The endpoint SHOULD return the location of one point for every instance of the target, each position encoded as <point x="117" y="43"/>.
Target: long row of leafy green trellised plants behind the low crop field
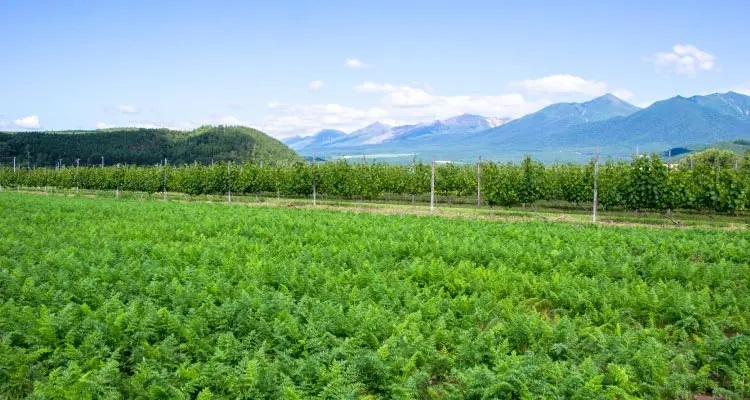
<point x="710" y="182"/>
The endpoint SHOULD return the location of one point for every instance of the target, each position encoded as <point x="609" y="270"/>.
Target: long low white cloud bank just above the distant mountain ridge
<point x="398" y="105"/>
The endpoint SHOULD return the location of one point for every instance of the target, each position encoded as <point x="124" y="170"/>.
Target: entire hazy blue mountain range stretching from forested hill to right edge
<point x="558" y="132"/>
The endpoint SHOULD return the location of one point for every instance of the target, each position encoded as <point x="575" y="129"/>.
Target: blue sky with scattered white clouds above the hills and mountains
<point x="294" y="67"/>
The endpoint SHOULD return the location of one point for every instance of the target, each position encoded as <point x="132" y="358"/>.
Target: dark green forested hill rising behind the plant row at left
<point x="144" y="146"/>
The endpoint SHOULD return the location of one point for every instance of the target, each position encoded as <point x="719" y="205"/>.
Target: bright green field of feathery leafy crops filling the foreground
<point x="107" y="298"/>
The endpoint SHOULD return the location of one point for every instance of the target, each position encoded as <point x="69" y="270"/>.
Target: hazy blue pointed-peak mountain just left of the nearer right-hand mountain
<point x="538" y="128"/>
